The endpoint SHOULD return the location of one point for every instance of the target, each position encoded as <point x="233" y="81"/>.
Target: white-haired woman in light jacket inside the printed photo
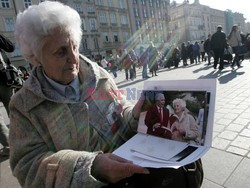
<point x="184" y="127"/>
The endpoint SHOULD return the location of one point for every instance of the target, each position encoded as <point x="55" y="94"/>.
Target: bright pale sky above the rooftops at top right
<point x="241" y="6"/>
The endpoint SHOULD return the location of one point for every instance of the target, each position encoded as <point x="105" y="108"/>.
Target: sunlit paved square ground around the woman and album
<point x="227" y="163"/>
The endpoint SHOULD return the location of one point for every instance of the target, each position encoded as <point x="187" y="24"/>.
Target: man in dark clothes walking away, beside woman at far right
<point x="218" y="44"/>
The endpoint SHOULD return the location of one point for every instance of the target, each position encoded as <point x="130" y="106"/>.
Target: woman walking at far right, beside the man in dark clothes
<point x="234" y="40"/>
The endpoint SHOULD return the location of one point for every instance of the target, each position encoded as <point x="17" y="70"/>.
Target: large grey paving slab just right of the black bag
<point x="216" y="168"/>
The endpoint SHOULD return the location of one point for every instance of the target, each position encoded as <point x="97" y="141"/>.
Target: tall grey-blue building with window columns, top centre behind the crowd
<point x="149" y="22"/>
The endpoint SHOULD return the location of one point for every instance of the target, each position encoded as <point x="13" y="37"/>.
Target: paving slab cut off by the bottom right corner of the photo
<point x="241" y="176"/>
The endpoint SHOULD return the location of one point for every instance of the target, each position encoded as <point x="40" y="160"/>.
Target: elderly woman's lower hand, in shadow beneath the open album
<point x="112" y="168"/>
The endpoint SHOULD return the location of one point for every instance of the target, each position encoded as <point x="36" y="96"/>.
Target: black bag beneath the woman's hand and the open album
<point x="188" y="176"/>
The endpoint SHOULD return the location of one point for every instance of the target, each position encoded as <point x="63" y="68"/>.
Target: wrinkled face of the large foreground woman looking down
<point x="60" y="57"/>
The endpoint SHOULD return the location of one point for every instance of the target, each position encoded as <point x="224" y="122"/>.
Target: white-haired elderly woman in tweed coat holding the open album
<point x="69" y="114"/>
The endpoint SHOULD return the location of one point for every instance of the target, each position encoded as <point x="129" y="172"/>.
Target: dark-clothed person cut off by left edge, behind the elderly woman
<point x="5" y="91"/>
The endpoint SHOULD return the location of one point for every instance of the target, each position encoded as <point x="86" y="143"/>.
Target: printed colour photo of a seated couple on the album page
<point x="175" y="115"/>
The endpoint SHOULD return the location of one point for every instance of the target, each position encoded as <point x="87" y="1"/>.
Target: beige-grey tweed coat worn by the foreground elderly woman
<point x="49" y="134"/>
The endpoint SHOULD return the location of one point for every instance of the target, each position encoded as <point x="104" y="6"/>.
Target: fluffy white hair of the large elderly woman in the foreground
<point x="37" y="22"/>
